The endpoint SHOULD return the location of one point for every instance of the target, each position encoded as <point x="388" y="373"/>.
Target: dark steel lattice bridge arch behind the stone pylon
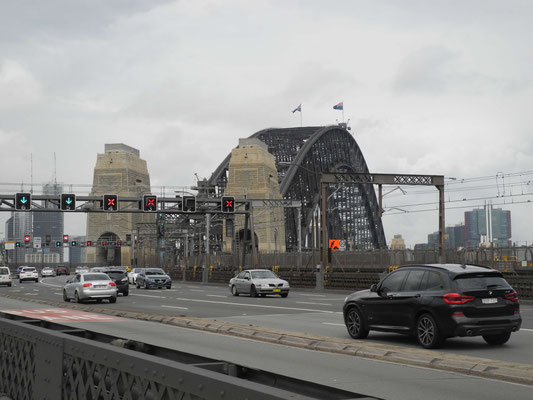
<point x="301" y="155"/>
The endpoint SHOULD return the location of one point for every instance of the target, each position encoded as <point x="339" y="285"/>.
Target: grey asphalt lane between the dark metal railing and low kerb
<point x="365" y="376"/>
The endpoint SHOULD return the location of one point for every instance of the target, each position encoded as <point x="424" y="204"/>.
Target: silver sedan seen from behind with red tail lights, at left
<point x="90" y="286"/>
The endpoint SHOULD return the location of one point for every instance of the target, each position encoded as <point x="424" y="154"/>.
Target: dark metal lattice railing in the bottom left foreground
<point x="45" y="364"/>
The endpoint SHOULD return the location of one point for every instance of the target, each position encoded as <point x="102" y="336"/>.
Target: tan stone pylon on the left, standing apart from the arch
<point x="120" y="171"/>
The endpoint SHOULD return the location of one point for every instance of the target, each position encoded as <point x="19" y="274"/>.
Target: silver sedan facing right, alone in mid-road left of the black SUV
<point x="258" y="282"/>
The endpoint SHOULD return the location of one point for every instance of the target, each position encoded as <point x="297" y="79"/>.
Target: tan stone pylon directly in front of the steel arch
<point x="252" y="174"/>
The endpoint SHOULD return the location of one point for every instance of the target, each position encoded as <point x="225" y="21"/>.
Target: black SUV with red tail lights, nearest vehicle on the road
<point x="435" y="302"/>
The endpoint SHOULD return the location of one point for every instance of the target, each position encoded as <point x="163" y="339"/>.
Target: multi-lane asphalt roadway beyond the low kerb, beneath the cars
<point x="306" y="311"/>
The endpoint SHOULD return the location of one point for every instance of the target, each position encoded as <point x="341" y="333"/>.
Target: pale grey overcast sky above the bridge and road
<point x="430" y="87"/>
